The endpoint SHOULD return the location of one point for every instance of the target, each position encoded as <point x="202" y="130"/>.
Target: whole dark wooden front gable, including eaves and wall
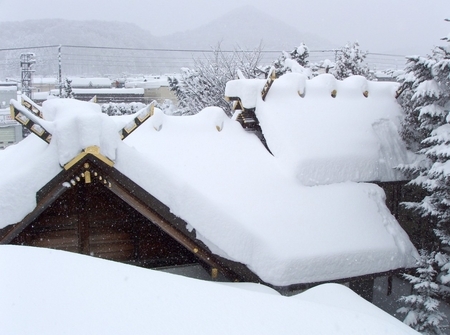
<point x="93" y="209"/>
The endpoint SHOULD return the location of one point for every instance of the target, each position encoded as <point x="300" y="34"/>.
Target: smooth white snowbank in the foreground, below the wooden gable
<point x="55" y="292"/>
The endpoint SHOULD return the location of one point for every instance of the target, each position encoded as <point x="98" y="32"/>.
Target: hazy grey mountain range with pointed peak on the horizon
<point x="108" y="46"/>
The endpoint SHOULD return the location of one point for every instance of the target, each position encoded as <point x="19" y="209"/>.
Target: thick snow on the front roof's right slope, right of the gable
<point x="245" y="207"/>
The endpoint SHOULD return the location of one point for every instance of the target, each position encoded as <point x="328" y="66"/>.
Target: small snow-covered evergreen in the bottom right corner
<point x="422" y="306"/>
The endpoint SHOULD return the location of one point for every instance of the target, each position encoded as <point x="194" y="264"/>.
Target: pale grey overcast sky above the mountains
<point x="412" y="26"/>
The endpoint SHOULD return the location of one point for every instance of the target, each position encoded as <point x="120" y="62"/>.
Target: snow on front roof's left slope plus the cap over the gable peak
<point x="27" y="166"/>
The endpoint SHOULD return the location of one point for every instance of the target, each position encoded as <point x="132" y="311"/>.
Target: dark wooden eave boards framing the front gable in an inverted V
<point x="140" y="200"/>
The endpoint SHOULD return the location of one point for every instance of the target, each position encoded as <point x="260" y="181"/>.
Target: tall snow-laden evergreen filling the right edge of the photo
<point x="425" y="97"/>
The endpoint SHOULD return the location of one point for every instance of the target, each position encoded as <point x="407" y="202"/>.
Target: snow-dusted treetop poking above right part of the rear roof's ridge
<point x="350" y="61"/>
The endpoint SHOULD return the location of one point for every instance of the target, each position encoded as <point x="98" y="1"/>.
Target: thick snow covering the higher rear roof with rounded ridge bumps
<point x="324" y="139"/>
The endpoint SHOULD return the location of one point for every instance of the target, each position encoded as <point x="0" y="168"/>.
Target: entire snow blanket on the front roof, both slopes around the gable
<point x="243" y="203"/>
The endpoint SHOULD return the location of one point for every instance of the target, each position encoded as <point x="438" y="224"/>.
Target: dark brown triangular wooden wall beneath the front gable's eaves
<point x="89" y="219"/>
